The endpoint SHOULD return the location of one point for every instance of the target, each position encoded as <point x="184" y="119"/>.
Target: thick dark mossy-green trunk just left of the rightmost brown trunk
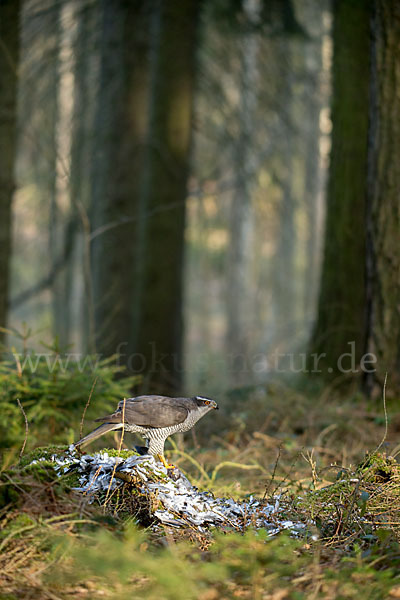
<point x="341" y="308"/>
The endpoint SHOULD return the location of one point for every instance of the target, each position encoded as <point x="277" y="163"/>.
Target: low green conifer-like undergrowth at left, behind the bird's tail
<point x="53" y="387"/>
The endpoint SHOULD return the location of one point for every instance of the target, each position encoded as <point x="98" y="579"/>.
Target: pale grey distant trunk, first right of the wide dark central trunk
<point x="240" y="307"/>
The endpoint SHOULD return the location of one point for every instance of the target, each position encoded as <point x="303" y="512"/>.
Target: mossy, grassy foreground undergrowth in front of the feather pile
<point x="53" y="544"/>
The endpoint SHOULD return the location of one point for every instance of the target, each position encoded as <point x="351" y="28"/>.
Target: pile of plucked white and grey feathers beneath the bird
<point x="181" y="503"/>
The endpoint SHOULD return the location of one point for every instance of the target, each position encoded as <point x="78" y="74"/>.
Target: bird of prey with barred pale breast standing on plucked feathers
<point x="155" y="418"/>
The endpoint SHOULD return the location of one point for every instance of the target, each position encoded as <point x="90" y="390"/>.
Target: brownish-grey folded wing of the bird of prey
<point x="150" y="411"/>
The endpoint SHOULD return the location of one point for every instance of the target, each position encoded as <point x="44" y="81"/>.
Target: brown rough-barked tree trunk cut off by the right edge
<point x="383" y="207"/>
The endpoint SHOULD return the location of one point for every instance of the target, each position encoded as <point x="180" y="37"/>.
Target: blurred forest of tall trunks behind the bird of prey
<point x="203" y="197"/>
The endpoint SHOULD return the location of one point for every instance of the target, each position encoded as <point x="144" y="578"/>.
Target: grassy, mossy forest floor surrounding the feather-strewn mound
<point x="330" y="460"/>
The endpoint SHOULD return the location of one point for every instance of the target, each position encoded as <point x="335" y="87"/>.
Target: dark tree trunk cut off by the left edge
<point x="9" y="58"/>
